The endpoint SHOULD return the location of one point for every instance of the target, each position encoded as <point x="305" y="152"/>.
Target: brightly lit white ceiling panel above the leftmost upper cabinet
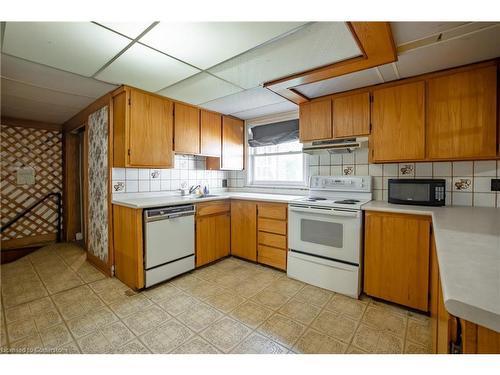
<point x="145" y="68"/>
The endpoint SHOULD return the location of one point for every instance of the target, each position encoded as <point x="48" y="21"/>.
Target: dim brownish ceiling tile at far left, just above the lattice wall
<point x="17" y="107"/>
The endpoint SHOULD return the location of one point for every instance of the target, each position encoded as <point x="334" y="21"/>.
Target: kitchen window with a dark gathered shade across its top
<point x="275" y="155"/>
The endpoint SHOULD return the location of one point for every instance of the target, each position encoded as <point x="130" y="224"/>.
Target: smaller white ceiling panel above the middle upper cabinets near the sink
<point x="200" y="88"/>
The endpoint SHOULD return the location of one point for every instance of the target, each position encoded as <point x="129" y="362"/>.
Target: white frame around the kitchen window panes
<point x="279" y="184"/>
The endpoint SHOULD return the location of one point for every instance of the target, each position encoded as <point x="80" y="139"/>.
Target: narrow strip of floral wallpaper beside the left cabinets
<point x="98" y="184"/>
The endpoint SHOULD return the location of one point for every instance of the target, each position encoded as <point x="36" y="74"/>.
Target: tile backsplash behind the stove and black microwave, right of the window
<point x="468" y="183"/>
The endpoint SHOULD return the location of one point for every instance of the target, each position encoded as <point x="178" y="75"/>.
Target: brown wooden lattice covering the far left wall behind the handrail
<point x="41" y="150"/>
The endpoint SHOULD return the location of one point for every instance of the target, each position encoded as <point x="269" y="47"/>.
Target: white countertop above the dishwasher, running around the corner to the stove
<point x="158" y="200"/>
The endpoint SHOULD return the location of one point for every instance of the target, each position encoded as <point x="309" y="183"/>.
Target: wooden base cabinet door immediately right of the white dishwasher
<point x="212" y="238"/>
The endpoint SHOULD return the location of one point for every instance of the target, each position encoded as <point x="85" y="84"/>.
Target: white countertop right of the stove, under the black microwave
<point x="468" y="252"/>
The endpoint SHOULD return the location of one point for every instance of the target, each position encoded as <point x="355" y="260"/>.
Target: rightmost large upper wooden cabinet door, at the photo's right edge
<point x="462" y="115"/>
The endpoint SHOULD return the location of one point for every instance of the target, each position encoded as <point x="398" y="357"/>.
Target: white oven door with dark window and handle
<point x="329" y="233"/>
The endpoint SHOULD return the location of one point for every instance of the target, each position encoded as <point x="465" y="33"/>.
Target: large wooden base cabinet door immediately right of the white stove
<point x="397" y="258"/>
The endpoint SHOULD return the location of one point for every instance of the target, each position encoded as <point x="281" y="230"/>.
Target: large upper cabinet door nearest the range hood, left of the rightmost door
<point x="398" y="123"/>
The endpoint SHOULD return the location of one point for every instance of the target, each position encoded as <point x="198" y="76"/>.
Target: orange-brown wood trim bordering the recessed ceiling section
<point x="377" y="46"/>
